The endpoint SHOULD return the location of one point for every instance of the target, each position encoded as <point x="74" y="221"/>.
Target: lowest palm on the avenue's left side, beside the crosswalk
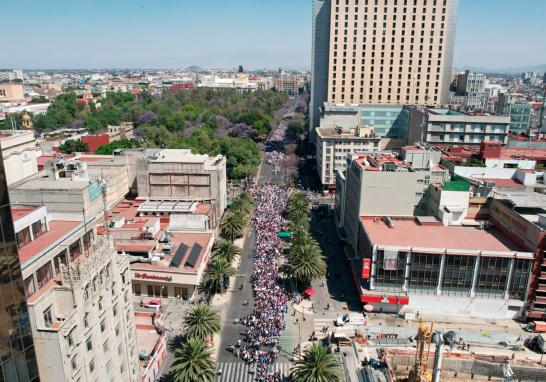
<point x="193" y="362"/>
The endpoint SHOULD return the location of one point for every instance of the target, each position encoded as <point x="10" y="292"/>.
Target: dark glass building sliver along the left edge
<point x="18" y="361"/>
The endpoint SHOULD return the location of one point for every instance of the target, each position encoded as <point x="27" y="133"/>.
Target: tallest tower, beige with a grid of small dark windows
<point x="382" y="52"/>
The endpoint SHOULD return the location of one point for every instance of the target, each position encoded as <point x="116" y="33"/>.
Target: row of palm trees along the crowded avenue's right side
<point x="305" y="259"/>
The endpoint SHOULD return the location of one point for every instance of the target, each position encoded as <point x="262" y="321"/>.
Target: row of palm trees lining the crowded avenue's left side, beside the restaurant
<point x="216" y="277"/>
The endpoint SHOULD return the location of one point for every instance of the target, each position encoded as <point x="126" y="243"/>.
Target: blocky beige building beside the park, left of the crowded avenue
<point x="181" y="175"/>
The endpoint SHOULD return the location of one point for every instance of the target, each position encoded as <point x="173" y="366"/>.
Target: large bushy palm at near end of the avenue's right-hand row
<point x="306" y="263"/>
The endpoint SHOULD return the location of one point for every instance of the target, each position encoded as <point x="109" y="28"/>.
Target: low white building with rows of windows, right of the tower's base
<point x="447" y="126"/>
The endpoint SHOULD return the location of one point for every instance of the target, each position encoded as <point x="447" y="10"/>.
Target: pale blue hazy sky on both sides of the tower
<point x="226" y="33"/>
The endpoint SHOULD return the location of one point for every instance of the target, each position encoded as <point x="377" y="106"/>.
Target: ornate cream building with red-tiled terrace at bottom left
<point x="79" y="298"/>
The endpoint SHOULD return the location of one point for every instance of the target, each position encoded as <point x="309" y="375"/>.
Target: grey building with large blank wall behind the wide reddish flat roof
<point x="380" y="184"/>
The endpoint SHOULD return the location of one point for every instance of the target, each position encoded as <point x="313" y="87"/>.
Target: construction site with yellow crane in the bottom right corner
<point x="387" y="350"/>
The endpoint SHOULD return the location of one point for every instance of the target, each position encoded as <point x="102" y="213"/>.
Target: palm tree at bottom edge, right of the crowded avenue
<point x="317" y="364"/>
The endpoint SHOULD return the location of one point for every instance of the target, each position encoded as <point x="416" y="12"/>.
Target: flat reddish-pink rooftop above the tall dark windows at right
<point x="409" y="233"/>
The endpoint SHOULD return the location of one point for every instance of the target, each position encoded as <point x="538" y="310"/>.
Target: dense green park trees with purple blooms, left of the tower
<point x="206" y="121"/>
